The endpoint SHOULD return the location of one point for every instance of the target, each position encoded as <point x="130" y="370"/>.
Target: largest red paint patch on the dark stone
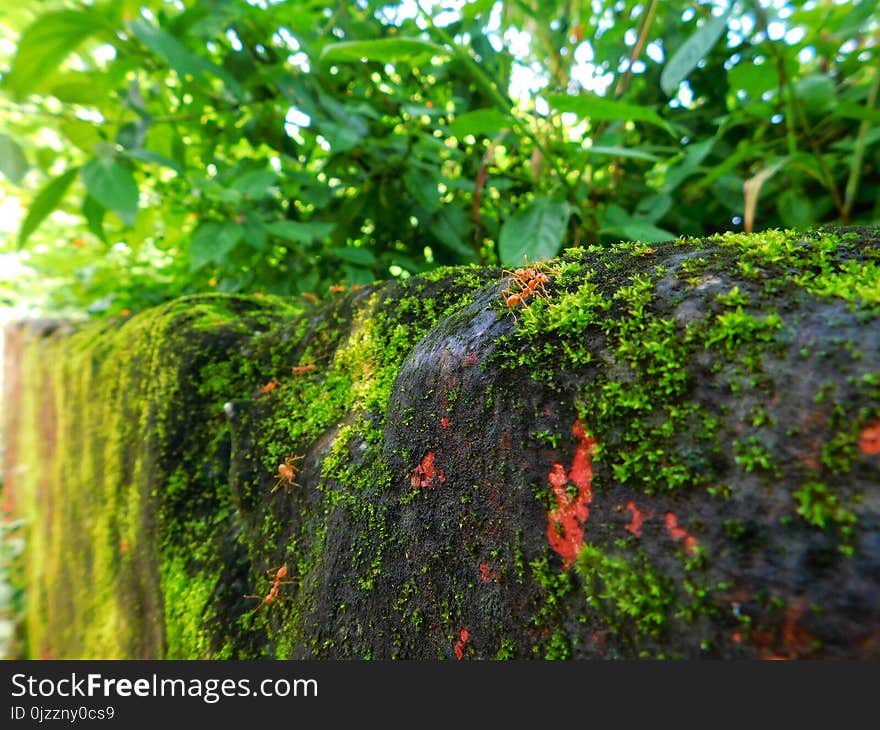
<point x="565" y="523"/>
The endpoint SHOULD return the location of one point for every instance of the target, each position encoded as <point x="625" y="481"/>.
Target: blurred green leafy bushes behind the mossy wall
<point x="151" y="148"/>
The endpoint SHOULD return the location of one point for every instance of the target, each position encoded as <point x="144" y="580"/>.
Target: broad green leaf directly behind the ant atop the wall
<point x="535" y="233"/>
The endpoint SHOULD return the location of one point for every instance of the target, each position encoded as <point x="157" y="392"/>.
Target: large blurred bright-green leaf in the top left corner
<point x="45" y="44"/>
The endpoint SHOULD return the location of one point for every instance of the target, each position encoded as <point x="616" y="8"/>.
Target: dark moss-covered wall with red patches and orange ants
<point x="667" y="451"/>
